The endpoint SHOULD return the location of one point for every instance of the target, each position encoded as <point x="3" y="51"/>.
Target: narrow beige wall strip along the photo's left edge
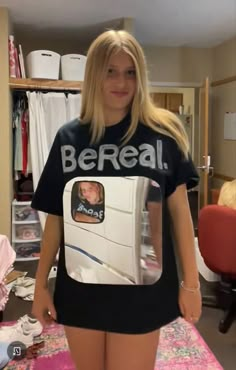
<point x="5" y="129"/>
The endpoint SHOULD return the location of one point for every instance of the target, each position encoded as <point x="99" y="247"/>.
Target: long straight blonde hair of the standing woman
<point x="142" y="108"/>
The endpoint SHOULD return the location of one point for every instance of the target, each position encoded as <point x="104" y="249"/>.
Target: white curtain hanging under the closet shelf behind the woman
<point x="47" y="113"/>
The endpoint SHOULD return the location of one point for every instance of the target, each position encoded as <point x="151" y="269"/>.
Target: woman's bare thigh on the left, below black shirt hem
<point x="87" y="348"/>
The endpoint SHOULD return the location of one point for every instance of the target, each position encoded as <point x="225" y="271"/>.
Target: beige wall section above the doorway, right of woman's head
<point x="178" y="64"/>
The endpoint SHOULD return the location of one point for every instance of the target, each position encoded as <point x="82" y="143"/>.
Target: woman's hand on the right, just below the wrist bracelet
<point x="190" y="304"/>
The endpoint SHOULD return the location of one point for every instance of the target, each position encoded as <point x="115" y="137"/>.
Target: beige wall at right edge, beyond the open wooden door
<point x="224" y="100"/>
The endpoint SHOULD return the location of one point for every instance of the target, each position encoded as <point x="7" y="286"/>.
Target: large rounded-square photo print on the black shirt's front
<point x="113" y="230"/>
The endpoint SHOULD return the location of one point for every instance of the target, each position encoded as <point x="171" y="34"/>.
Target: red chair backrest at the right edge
<point x="217" y="238"/>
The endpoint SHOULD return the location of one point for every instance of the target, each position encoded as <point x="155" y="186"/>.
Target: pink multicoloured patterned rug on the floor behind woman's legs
<point x="181" y="348"/>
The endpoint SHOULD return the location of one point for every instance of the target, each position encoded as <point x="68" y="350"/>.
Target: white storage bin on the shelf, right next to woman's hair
<point x="73" y="67"/>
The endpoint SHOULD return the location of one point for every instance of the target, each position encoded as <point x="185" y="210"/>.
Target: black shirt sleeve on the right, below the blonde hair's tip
<point x="182" y="171"/>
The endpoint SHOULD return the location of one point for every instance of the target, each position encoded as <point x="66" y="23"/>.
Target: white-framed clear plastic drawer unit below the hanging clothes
<point x="26" y="231"/>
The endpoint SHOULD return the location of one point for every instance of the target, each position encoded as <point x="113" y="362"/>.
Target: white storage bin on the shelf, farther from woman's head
<point x="43" y="64"/>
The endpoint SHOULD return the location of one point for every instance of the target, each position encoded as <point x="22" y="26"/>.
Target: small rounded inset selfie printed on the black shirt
<point x="87" y="202"/>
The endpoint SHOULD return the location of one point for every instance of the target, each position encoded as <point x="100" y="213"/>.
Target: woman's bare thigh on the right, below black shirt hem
<point x="131" y="352"/>
